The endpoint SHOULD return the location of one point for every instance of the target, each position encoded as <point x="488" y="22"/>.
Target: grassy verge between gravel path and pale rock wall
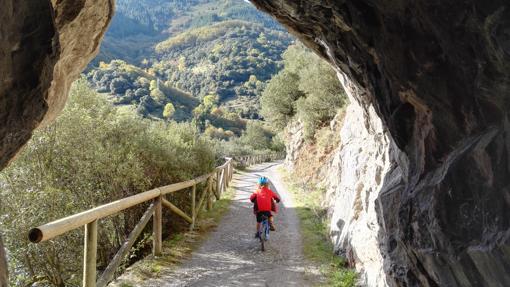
<point x="317" y="246"/>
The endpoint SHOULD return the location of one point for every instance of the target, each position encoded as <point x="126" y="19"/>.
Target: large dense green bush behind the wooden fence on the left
<point x="93" y="154"/>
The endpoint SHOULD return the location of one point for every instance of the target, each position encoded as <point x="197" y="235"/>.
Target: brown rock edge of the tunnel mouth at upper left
<point x="44" y="46"/>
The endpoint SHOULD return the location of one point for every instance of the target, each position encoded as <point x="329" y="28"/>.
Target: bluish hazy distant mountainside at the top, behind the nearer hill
<point x="140" y="24"/>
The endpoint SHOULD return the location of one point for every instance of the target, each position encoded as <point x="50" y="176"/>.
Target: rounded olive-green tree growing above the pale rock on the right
<point x="307" y="89"/>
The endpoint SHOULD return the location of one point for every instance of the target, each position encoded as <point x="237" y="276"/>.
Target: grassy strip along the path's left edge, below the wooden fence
<point x="178" y="247"/>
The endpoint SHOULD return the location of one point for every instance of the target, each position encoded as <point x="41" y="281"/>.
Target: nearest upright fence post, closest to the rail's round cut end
<point x="89" y="257"/>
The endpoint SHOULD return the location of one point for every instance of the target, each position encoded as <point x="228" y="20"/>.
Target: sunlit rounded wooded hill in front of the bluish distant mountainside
<point x="224" y="59"/>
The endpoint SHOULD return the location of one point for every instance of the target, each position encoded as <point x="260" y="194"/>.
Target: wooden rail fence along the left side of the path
<point x="216" y="183"/>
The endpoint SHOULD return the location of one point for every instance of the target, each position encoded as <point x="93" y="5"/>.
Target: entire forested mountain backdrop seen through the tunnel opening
<point x="161" y="54"/>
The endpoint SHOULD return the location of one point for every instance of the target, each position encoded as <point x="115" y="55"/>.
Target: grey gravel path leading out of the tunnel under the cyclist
<point x="231" y="255"/>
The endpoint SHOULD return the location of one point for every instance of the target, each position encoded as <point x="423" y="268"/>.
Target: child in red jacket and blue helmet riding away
<point x="263" y="203"/>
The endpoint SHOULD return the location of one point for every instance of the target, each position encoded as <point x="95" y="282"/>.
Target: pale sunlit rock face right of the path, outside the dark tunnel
<point x="352" y="177"/>
